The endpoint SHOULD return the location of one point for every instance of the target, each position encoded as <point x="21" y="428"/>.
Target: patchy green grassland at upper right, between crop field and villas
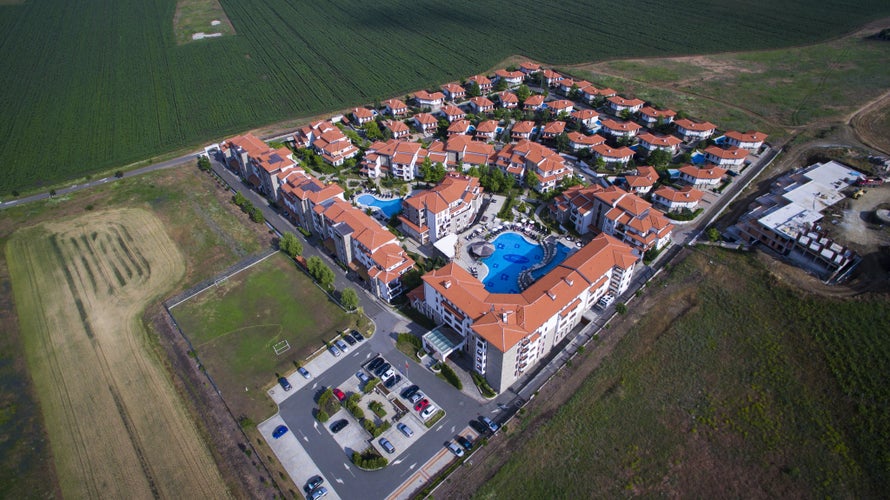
<point x="767" y="90"/>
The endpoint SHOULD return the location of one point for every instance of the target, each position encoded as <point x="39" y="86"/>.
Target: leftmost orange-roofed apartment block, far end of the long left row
<point x="257" y="163"/>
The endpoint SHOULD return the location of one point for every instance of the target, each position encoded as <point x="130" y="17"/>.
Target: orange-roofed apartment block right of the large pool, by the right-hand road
<point x="615" y="212"/>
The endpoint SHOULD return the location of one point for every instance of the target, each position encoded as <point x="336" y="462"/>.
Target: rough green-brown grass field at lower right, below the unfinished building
<point x="730" y="386"/>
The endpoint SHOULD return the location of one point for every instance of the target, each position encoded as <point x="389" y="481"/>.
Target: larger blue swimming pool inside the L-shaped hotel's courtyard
<point x="512" y="255"/>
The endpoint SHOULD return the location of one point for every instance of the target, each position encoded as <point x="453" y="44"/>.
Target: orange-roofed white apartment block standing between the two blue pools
<point x="428" y="216"/>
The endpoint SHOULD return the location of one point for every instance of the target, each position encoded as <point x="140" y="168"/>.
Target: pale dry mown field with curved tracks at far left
<point x="116" y="426"/>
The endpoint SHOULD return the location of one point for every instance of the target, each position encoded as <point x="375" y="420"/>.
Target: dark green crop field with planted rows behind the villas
<point x="91" y="86"/>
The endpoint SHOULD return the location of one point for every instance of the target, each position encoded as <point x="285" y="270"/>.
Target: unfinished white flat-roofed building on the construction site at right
<point x="788" y="220"/>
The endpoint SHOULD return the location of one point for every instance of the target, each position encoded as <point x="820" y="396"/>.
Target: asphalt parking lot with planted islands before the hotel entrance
<point x="310" y="448"/>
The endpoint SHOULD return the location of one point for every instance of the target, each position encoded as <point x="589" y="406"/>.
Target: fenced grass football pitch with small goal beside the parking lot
<point x="234" y="325"/>
